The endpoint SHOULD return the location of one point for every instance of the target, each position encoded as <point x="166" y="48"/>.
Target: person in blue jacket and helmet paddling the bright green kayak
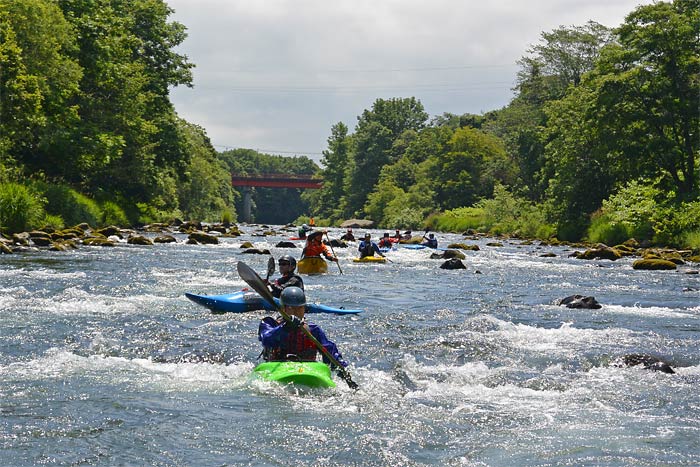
<point x="286" y="341"/>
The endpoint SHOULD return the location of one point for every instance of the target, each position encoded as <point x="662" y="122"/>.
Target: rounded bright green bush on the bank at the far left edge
<point x="21" y="208"/>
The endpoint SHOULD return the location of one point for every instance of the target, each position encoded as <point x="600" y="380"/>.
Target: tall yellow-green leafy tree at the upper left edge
<point x="38" y="82"/>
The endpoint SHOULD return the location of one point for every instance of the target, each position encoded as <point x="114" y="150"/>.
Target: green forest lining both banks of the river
<point x="600" y="141"/>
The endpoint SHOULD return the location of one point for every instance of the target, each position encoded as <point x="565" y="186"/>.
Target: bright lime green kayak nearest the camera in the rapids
<point x="312" y="374"/>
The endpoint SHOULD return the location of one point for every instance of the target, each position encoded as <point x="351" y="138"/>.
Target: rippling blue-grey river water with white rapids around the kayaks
<point x="103" y="361"/>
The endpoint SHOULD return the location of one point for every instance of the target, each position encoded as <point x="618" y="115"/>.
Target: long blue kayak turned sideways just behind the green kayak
<point x="243" y="301"/>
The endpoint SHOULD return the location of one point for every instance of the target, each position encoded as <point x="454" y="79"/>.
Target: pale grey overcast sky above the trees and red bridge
<point x="276" y="75"/>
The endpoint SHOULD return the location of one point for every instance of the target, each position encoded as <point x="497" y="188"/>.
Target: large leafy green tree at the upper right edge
<point x="648" y="94"/>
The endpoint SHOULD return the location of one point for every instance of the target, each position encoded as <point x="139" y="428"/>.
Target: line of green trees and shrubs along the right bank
<point x="601" y="141"/>
